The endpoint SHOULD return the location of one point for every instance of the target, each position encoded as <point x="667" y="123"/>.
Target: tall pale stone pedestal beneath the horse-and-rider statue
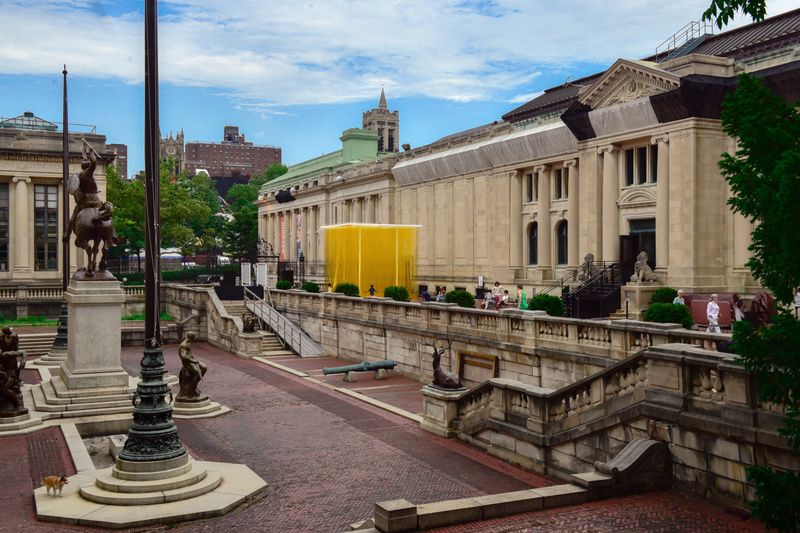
<point x="95" y="336"/>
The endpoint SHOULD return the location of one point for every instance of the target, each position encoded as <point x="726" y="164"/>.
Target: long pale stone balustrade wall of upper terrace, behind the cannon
<point x="529" y="346"/>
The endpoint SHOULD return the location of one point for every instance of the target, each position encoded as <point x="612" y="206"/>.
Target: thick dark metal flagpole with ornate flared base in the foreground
<point x="153" y="434"/>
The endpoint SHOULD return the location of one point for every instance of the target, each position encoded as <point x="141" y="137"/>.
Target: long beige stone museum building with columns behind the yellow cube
<point x="611" y="164"/>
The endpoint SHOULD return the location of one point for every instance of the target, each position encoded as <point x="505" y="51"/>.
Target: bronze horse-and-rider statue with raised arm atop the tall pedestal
<point x="91" y="218"/>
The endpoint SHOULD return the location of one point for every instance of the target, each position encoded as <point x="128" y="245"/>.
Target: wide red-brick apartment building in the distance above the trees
<point x="234" y="157"/>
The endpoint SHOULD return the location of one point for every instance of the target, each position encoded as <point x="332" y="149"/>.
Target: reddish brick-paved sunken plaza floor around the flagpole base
<point x="328" y="456"/>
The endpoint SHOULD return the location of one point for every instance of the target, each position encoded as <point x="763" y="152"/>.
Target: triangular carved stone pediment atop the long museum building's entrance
<point x="628" y="80"/>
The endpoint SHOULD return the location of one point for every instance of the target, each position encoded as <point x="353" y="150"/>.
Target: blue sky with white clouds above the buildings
<point x="295" y="74"/>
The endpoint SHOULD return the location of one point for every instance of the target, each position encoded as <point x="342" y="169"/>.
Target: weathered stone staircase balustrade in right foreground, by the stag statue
<point x="700" y="402"/>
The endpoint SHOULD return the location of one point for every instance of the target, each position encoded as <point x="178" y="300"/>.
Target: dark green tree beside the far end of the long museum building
<point x="240" y="234"/>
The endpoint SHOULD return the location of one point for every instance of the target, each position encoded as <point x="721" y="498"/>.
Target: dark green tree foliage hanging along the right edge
<point x="763" y="178"/>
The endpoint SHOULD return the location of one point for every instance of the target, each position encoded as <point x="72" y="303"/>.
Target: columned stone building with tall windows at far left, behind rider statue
<point x="31" y="180"/>
